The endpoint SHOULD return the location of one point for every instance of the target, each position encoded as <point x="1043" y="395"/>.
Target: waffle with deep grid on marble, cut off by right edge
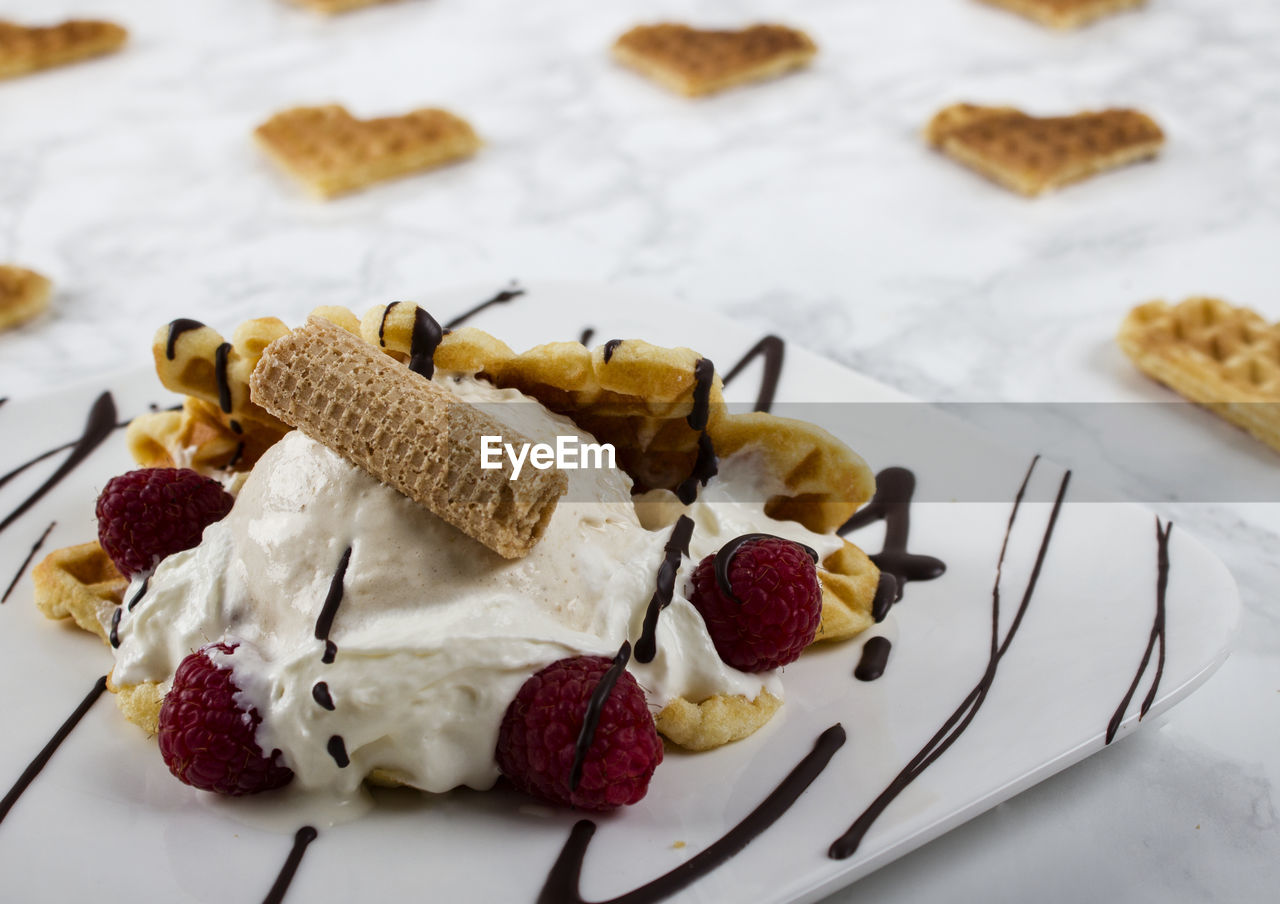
<point x="1224" y="358"/>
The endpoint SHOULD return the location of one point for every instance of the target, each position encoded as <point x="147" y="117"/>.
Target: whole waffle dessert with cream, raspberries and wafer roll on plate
<point x="368" y="638"/>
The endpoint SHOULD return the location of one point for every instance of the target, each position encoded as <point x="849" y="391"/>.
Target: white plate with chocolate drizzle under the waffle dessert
<point x="1059" y="619"/>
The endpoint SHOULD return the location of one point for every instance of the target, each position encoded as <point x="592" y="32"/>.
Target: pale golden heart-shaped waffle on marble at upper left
<point x="331" y="152"/>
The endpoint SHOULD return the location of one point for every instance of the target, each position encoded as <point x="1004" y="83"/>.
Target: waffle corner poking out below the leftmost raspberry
<point x="83" y="585"/>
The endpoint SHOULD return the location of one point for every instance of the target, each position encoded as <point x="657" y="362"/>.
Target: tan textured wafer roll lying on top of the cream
<point x="410" y="433"/>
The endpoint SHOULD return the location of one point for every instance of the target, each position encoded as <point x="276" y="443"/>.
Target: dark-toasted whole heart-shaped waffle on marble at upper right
<point x="1035" y="154"/>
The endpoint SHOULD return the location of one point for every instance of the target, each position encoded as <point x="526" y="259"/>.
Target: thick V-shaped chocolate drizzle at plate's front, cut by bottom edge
<point x="564" y="883"/>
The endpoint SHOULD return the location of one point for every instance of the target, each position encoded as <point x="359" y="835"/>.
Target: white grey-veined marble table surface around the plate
<point x="807" y="207"/>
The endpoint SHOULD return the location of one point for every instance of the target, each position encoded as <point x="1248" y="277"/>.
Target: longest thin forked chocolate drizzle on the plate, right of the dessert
<point x="848" y="844"/>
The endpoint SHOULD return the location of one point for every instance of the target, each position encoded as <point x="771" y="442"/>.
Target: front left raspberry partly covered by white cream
<point x="207" y="739"/>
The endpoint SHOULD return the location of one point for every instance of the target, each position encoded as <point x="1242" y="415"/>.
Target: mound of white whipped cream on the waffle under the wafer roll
<point x="435" y="633"/>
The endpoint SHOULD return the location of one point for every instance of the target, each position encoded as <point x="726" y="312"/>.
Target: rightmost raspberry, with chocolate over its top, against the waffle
<point x="775" y="608"/>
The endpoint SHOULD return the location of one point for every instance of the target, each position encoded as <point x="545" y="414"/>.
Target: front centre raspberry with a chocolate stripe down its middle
<point x="540" y="733"/>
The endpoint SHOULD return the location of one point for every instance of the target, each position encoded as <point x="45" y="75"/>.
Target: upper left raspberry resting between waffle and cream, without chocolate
<point x="149" y="514"/>
